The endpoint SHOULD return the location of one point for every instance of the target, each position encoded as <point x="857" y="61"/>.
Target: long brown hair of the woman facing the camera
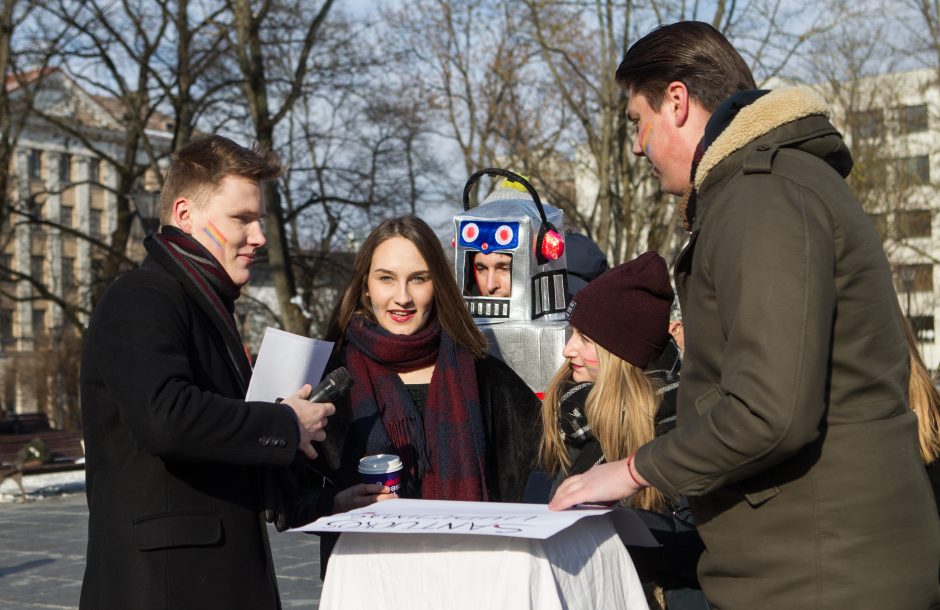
<point x="449" y="305"/>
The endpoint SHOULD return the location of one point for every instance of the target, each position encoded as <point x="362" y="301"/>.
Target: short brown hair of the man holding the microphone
<point x="197" y="170"/>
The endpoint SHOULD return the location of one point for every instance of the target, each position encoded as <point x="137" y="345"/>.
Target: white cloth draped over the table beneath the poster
<point x="584" y="566"/>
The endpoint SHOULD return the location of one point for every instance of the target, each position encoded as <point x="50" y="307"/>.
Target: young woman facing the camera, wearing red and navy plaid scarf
<point x="464" y="424"/>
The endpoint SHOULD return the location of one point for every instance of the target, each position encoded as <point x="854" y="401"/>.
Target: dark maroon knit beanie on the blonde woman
<point x="626" y="309"/>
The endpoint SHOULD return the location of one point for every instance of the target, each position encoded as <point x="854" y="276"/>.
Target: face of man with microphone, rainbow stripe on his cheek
<point x="228" y="224"/>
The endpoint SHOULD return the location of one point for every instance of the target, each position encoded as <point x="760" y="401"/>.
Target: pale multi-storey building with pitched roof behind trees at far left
<point x="62" y="212"/>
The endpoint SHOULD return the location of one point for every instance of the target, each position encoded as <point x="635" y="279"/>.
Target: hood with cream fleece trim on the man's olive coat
<point x="757" y="116"/>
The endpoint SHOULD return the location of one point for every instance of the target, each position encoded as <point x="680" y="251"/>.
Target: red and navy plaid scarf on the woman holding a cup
<point x="444" y="452"/>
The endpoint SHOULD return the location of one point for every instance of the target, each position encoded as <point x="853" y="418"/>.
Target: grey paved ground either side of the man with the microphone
<point x="42" y="556"/>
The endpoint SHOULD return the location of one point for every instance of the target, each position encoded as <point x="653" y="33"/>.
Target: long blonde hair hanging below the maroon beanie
<point x="620" y="409"/>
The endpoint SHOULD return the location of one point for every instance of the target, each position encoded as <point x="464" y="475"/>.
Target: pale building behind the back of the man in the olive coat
<point x="891" y="123"/>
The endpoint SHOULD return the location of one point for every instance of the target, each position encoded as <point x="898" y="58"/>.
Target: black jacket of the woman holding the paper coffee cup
<point x="511" y="419"/>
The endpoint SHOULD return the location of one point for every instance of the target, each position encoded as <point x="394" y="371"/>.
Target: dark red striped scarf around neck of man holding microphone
<point x="206" y="281"/>
